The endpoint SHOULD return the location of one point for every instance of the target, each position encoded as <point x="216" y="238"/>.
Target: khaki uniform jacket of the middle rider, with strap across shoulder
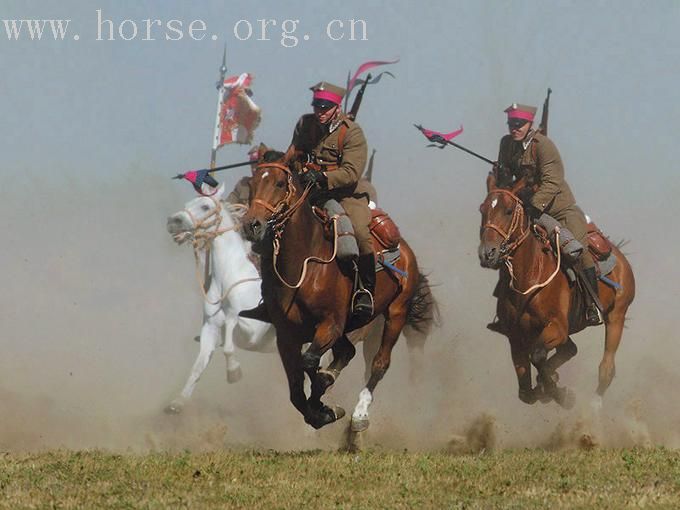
<point x="314" y="139"/>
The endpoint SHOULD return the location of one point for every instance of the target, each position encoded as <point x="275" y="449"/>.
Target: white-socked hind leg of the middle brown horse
<point x="395" y="319"/>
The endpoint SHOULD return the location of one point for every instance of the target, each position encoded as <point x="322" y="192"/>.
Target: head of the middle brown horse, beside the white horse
<point x="274" y="197"/>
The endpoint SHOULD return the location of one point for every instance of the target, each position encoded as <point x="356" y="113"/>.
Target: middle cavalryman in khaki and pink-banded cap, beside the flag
<point x="332" y="152"/>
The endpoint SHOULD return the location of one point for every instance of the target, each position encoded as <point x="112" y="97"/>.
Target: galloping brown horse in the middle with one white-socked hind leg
<point x="307" y="294"/>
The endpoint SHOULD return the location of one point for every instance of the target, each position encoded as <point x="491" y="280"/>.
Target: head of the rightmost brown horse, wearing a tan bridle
<point x="504" y="224"/>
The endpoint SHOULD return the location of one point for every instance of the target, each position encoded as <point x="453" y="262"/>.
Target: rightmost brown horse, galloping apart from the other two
<point x="535" y="295"/>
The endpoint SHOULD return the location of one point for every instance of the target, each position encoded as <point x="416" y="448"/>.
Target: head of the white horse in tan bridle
<point x="202" y="214"/>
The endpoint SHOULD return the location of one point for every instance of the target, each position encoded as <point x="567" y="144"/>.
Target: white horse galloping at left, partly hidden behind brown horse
<point x="234" y="286"/>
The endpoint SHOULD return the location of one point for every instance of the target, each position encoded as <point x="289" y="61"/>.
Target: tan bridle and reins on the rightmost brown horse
<point x="518" y="221"/>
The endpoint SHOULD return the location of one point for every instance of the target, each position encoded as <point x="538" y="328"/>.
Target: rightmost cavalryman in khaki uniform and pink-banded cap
<point x="526" y="152"/>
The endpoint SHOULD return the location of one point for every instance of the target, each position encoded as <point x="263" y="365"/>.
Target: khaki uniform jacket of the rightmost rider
<point x="540" y="161"/>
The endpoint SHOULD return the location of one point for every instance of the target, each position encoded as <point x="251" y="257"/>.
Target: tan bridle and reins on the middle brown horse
<point x="284" y="211"/>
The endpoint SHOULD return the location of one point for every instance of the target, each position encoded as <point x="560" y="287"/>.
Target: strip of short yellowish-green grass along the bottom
<point x="596" y="478"/>
